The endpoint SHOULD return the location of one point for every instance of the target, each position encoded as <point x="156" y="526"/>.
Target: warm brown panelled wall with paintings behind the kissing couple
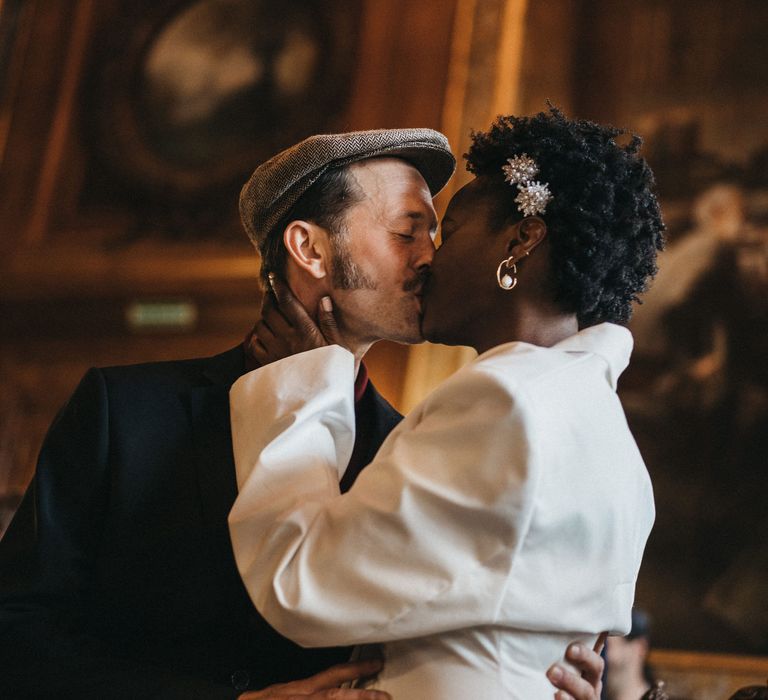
<point x="127" y="127"/>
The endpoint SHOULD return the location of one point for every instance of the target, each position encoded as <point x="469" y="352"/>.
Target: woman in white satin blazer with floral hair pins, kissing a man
<point x="508" y="513"/>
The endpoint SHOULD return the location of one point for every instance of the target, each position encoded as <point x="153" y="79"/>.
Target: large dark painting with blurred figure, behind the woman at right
<point x="692" y="78"/>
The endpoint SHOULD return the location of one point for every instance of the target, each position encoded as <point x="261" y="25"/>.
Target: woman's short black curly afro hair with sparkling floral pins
<point x="604" y="224"/>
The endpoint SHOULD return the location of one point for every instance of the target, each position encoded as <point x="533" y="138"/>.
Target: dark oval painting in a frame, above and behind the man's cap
<point x="184" y="99"/>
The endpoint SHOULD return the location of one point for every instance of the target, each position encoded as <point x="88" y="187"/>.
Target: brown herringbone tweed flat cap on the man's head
<point x="277" y="184"/>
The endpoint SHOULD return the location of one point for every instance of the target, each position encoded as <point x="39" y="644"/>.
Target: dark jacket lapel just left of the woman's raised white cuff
<point x="211" y="436"/>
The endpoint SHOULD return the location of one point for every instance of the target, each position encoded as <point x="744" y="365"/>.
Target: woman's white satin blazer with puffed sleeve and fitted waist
<point x="503" y="518"/>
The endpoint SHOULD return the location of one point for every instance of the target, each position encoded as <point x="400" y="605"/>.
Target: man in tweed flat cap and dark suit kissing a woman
<point x="117" y="577"/>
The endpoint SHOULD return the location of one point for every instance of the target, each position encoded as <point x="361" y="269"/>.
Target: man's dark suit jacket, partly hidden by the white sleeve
<point x="117" y="578"/>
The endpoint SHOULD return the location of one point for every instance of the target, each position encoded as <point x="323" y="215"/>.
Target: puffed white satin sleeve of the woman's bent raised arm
<point x="425" y="539"/>
